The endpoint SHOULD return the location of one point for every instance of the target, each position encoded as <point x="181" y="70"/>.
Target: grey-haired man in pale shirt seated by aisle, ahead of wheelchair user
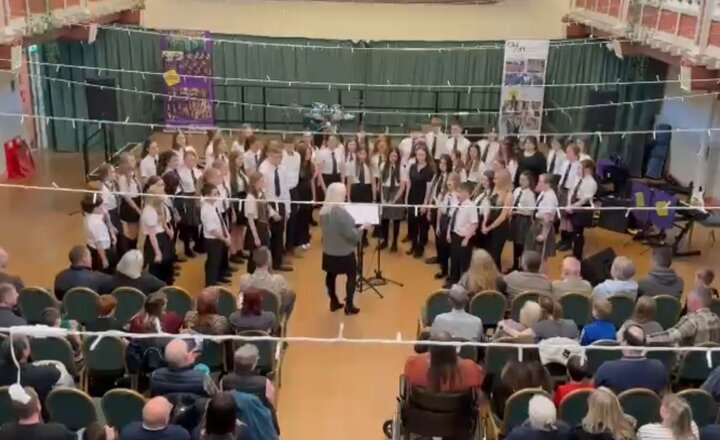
<point x="458" y="322"/>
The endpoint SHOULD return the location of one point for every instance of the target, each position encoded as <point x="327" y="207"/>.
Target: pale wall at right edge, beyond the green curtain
<point x="699" y="112"/>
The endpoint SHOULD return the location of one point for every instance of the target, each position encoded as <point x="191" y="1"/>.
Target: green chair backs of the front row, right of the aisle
<point x="490" y="306"/>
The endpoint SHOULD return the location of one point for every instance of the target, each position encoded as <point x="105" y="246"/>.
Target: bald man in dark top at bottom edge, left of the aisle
<point x="155" y="424"/>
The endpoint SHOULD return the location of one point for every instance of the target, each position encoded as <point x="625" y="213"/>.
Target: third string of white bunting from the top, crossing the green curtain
<point x="301" y="108"/>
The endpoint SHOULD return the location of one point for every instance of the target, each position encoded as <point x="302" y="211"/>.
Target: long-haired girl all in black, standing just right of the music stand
<point x="420" y="175"/>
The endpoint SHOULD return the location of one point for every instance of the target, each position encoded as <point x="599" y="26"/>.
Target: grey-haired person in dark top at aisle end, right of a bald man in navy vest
<point x="246" y="378"/>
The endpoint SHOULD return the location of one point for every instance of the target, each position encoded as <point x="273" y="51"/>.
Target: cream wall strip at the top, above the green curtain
<point x="350" y="20"/>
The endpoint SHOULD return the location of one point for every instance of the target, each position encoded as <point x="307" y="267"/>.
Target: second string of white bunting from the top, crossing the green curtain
<point x="354" y="86"/>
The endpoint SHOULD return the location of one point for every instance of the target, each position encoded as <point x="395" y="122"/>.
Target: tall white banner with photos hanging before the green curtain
<point x="523" y="91"/>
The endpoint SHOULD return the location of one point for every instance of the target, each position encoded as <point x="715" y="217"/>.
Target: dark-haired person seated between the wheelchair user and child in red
<point x="516" y="376"/>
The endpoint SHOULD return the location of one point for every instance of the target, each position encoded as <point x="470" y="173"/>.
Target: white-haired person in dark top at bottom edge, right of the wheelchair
<point x="542" y="423"/>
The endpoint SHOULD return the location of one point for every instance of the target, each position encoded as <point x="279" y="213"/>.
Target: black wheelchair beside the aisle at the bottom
<point x="428" y="414"/>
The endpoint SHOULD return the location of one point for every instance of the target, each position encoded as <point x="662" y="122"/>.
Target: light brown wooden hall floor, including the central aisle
<point x="328" y="391"/>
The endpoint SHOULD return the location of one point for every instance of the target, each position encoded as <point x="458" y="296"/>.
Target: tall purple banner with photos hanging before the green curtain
<point x="193" y="57"/>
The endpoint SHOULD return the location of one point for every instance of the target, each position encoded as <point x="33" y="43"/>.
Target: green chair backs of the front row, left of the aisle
<point x="79" y="303"/>
